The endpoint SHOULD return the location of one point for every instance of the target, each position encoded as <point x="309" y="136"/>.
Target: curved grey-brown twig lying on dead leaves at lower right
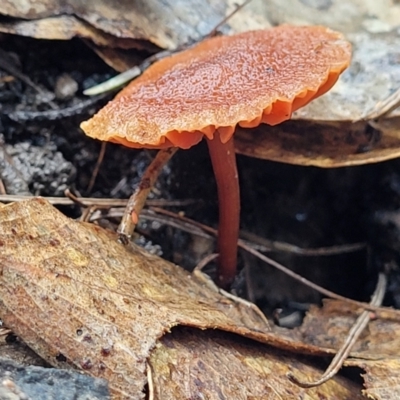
<point x="353" y="335"/>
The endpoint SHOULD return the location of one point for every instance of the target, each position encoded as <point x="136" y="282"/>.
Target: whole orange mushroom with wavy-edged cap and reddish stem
<point x="245" y="79"/>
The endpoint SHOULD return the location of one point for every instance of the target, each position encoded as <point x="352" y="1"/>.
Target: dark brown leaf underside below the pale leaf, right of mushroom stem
<point x="321" y="145"/>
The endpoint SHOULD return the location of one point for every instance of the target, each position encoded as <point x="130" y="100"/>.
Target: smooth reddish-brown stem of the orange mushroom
<point x="223" y="160"/>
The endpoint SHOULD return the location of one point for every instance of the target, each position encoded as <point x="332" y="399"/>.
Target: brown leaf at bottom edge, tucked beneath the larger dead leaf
<point x="188" y="364"/>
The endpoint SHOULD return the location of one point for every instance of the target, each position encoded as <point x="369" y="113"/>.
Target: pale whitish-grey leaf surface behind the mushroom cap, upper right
<point x="372" y="28"/>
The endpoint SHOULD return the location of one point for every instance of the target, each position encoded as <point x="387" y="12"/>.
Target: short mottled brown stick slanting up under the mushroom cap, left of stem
<point x="138" y="198"/>
